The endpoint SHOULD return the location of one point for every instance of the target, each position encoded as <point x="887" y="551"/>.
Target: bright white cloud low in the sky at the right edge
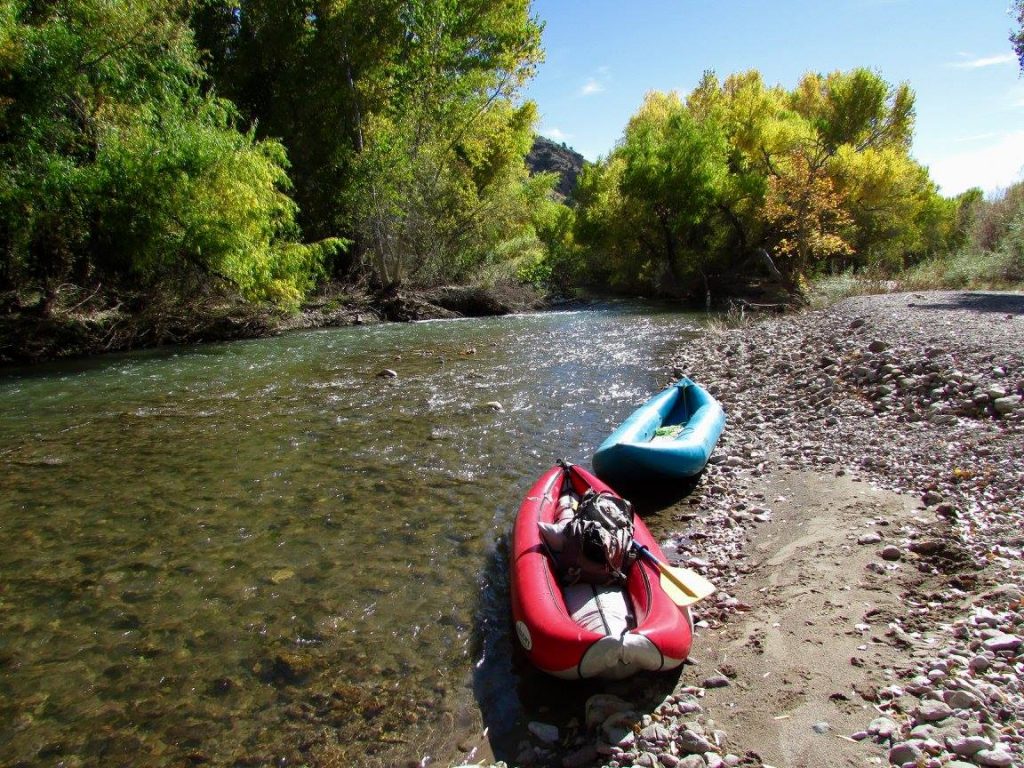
<point x="995" y="166"/>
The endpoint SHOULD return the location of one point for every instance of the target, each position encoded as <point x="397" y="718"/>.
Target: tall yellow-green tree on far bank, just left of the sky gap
<point x="442" y="187"/>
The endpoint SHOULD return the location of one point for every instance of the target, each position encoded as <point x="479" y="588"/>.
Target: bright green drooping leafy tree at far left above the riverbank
<point x="118" y="168"/>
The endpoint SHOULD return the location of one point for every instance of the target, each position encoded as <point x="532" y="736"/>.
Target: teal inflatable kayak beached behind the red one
<point x="671" y="437"/>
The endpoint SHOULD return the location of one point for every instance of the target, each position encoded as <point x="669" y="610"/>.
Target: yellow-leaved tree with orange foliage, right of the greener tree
<point x="847" y="136"/>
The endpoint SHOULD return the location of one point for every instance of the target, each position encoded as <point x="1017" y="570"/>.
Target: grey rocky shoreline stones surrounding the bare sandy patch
<point x="915" y="394"/>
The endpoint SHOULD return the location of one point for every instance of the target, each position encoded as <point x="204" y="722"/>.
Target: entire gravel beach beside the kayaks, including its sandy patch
<point x="863" y="519"/>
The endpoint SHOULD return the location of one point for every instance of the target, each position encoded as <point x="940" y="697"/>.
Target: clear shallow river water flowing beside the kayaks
<point x="265" y="553"/>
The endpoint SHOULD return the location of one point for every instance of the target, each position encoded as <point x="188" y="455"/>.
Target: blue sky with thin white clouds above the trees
<point x="604" y="56"/>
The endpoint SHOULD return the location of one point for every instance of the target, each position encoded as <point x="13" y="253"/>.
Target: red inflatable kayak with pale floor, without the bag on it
<point x="585" y="631"/>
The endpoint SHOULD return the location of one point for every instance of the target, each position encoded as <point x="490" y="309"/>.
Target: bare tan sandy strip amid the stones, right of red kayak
<point x="802" y="659"/>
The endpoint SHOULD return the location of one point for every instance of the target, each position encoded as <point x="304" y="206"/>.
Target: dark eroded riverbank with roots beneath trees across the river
<point x="83" y="324"/>
